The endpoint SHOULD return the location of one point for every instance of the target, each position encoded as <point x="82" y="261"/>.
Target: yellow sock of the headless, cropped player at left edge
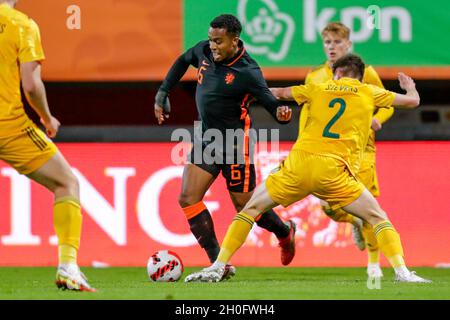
<point x="67" y="222"/>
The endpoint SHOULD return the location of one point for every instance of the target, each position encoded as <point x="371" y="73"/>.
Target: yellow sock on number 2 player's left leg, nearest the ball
<point x="236" y="234"/>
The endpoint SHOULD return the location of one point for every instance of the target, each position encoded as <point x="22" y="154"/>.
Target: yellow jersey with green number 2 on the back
<point x="339" y="118"/>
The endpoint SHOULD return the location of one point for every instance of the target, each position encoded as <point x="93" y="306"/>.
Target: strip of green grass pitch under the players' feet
<point x="249" y="284"/>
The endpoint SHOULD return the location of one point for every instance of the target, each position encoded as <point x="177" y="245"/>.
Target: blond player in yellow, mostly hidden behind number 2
<point x="336" y="43"/>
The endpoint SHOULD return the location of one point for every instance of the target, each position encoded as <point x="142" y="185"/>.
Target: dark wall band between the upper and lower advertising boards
<point x="123" y="111"/>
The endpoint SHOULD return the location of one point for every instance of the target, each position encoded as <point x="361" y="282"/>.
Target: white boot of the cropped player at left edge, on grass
<point x="69" y="277"/>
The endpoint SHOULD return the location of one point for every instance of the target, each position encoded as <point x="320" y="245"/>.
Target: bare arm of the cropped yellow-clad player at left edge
<point x="34" y="89"/>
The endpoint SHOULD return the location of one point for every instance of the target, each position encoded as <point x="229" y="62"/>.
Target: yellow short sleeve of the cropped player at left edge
<point x="30" y="47"/>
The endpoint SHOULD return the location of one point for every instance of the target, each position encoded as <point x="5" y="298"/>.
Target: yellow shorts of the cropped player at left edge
<point x="27" y="149"/>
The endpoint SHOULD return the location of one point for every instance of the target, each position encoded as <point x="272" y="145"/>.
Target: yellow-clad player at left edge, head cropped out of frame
<point x="25" y="147"/>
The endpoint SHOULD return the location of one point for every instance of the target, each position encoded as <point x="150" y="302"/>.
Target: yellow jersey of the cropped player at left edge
<point x="19" y="43"/>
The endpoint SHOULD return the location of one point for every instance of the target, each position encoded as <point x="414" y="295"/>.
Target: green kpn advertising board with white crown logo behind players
<point x="286" y="33"/>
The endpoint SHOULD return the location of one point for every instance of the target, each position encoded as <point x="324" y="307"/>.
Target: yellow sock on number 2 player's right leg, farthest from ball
<point x="389" y="242"/>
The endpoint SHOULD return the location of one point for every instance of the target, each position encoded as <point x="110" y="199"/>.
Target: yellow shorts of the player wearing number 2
<point x="304" y="173"/>
